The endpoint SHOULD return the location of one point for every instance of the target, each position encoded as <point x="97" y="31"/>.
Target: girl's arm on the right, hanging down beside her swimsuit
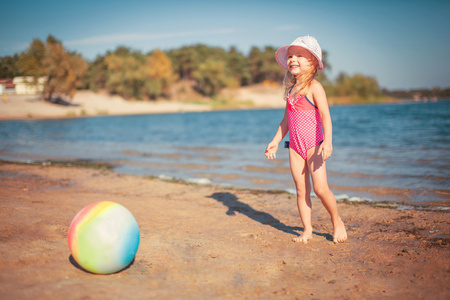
<point x="320" y="99"/>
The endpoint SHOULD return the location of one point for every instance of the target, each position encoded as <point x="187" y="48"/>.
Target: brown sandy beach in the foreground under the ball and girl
<point x="205" y="242"/>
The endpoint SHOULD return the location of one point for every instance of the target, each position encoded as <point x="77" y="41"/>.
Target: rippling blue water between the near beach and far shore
<point x="393" y="152"/>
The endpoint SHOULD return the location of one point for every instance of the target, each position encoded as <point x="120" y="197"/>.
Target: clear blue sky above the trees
<point x="403" y="44"/>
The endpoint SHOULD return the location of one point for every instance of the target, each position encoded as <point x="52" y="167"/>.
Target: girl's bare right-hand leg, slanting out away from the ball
<point x="317" y="169"/>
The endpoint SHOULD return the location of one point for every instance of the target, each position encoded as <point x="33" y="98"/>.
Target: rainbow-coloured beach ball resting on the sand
<point x="104" y="237"/>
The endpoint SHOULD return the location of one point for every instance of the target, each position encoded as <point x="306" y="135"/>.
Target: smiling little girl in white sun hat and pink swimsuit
<point x="309" y="147"/>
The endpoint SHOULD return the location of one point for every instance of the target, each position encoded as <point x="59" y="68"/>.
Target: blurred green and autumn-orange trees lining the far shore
<point x="135" y="75"/>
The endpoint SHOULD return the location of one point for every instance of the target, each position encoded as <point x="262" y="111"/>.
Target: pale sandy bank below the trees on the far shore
<point x="87" y="103"/>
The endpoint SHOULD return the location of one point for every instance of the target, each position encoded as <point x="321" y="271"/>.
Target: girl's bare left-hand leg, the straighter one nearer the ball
<point x="300" y="174"/>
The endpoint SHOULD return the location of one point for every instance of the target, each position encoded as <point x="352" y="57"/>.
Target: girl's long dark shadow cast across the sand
<point x="234" y="205"/>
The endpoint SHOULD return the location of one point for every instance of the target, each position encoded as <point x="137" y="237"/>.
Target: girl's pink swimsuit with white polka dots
<point x="305" y="126"/>
